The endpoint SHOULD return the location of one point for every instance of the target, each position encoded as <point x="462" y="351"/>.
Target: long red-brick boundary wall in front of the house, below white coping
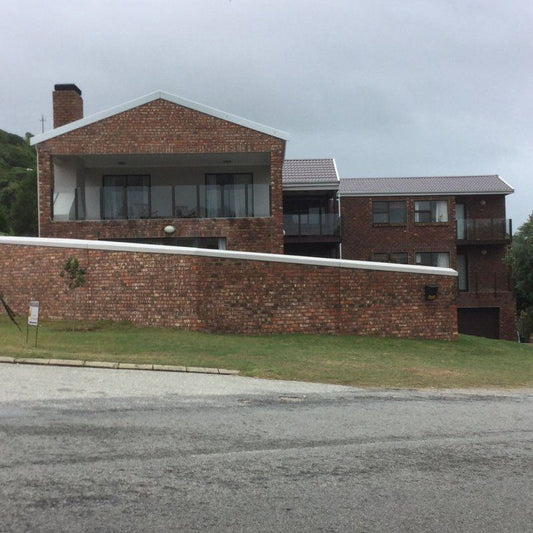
<point x="229" y="295"/>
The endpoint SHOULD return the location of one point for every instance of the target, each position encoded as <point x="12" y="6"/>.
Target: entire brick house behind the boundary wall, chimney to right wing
<point x="164" y="170"/>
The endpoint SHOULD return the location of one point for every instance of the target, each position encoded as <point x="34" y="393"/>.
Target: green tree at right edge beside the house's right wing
<point x="520" y="259"/>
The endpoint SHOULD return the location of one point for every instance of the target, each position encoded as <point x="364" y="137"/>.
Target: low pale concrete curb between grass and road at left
<point x="116" y="365"/>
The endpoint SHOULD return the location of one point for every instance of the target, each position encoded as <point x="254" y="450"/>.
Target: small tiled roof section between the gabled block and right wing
<point x="316" y="174"/>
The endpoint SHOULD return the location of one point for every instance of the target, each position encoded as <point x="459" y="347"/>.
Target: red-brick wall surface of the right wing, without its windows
<point x="488" y="275"/>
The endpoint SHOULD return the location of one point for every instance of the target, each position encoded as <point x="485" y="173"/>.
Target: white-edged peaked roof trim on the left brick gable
<point x="157" y="95"/>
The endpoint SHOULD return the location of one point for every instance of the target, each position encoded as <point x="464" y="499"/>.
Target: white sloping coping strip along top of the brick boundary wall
<point x="112" y="246"/>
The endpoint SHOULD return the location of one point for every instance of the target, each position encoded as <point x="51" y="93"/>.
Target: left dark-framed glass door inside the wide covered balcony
<point x="125" y="197"/>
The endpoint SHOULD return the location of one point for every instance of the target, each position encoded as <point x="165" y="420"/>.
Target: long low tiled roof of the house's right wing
<point x="440" y="185"/>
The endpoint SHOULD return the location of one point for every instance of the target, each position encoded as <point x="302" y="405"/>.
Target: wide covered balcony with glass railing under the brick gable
<point x="135" y="187"/>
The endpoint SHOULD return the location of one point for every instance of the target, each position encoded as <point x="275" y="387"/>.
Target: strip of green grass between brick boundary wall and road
<point x="349" y="360"/>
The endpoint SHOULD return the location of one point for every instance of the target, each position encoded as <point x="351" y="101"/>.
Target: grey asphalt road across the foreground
<point x="107" y="450"/>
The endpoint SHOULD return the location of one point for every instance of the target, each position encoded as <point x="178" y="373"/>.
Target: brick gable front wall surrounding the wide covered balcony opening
<point x="162" y="127"/>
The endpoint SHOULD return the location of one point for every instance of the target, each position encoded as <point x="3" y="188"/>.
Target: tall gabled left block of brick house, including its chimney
<point x="160" y="169"/>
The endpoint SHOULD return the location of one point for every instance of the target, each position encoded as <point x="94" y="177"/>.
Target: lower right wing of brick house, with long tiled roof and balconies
<point x="456" y="222"/>
